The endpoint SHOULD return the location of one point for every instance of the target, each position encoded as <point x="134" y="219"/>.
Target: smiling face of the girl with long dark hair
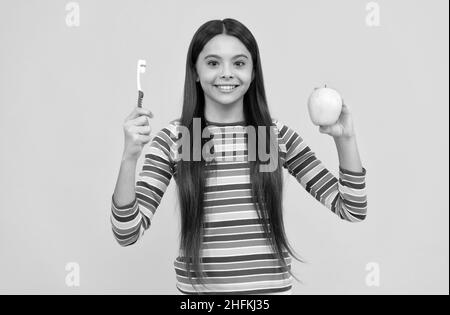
<point x="225" y="70"/>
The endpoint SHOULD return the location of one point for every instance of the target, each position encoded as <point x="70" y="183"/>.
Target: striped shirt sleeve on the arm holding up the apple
<point x="345" y="196"/>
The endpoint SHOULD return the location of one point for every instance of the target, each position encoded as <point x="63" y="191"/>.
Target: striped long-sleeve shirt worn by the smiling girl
<point x="235" y="253"/>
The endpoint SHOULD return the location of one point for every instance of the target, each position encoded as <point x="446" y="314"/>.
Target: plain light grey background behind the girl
<point x="65" y="91"/>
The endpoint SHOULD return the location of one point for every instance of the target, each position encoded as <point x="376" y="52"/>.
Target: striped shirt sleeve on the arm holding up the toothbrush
<point x="129" y="222"/>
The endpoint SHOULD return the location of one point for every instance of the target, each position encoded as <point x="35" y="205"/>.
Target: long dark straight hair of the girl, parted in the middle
<point x="267" y="187"/>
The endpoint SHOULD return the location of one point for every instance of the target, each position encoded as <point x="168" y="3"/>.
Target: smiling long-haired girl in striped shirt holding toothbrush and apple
<point x="232" y="234"/>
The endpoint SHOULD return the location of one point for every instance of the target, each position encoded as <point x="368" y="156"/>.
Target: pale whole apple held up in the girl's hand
<point x="324" y="106"/>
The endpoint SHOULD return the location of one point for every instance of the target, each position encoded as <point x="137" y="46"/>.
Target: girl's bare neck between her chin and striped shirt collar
<point x="220" y="113"/>
